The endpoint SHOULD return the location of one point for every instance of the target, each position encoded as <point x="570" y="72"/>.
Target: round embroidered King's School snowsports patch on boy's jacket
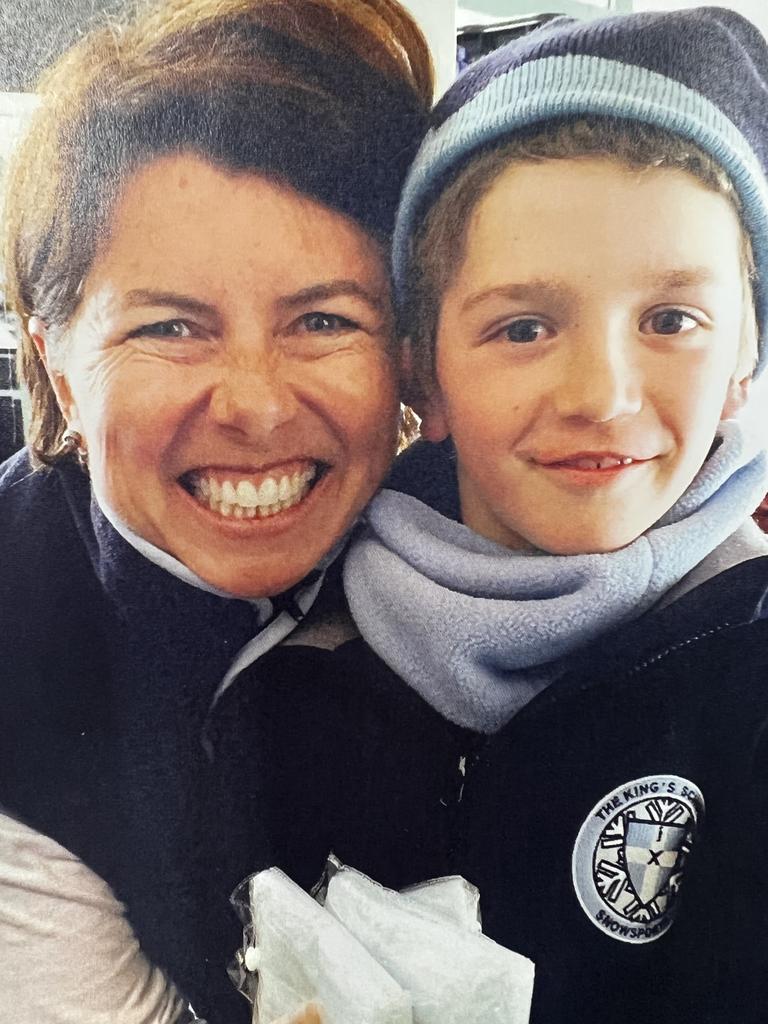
<point x="630" y="856"/>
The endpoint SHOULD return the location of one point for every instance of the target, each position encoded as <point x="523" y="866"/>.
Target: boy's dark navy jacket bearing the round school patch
<point x="680" y="692"/>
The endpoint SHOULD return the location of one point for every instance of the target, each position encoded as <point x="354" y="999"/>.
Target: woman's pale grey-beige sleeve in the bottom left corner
<point x="68" y="954"/>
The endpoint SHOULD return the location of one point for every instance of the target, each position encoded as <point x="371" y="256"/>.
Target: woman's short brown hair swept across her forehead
<point x="330" y="97"/>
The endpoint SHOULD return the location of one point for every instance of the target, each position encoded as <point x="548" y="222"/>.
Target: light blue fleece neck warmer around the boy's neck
<point x="478" y="629"/>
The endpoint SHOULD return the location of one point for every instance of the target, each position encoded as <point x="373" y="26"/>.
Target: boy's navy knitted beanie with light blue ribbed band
<point x="700" y="74"/>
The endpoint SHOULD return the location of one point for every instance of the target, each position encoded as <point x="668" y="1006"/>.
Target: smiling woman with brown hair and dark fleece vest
<point x="197" y="228"/>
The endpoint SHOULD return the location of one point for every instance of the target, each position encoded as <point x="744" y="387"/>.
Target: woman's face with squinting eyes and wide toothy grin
<point x="229" y="369"/>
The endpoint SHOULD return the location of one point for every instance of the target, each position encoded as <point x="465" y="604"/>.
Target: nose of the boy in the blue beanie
<point x="602" y="379"/>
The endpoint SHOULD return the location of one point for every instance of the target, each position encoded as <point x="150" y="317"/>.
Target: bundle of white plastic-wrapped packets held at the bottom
<point x="360" y="954"/>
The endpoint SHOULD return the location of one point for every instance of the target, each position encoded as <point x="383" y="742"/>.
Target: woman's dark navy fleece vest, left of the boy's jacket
<point x="108" y="672"/>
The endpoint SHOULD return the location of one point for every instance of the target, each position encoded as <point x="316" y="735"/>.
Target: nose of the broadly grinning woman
<point x="253" y="397"/>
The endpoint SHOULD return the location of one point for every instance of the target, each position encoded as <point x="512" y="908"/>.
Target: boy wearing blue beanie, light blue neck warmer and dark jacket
<point x="581" y="260"/>
